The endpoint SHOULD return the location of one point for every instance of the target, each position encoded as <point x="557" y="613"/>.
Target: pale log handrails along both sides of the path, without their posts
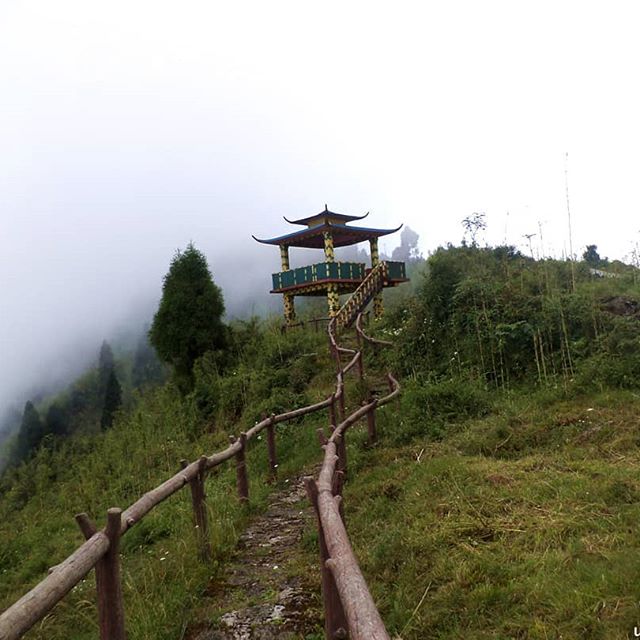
<point x="361" y="614"/>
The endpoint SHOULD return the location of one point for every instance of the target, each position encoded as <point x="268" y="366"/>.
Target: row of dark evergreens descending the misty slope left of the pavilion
<point x="188" y="323"/>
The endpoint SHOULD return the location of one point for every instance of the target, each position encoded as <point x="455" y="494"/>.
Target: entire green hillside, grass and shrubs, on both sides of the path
<point x="502" y="501"/>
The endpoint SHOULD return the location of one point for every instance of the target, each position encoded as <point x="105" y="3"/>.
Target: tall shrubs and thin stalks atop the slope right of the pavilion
<point x="497" y="317"/>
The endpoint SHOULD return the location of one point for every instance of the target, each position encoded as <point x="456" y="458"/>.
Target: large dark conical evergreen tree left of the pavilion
<point x="189" y="319"/>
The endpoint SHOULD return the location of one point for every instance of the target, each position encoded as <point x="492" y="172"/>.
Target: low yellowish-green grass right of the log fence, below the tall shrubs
<point x="537" y="538"/>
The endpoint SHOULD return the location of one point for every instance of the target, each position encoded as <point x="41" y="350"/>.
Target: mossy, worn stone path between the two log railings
<point x="269" y="588"/>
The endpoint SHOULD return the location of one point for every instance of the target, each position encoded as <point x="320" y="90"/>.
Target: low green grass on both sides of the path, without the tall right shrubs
<point x="485" y="515"/>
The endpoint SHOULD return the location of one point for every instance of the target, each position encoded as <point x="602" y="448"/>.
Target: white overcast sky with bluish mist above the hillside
<point x="129" y="128"/>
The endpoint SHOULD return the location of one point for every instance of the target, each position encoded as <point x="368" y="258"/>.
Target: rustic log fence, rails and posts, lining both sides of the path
<point x="349" y="608"/>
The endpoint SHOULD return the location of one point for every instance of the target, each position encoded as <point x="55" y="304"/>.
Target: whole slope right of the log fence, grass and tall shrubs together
<point x="504" y="499"/>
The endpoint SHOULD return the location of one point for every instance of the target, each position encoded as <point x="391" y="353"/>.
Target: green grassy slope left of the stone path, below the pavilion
<point x="92" y="472"/>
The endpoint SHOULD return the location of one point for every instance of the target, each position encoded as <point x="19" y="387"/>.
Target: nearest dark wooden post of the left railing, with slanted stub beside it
<point x="108" y="586"/>
